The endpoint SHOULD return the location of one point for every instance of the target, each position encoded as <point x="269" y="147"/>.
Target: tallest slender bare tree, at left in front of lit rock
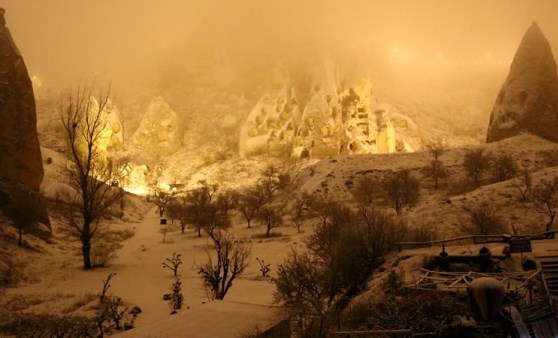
<point x="84" y="125"/>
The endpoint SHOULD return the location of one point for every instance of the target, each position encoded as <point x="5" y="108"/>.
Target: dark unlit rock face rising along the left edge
<point x="20" y="155"/>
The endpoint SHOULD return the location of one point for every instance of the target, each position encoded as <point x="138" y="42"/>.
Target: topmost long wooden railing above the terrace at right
<point x="476" y="239"/>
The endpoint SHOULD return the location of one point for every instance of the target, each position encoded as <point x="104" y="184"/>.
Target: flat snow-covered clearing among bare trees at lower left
<point x="141" y="280"/>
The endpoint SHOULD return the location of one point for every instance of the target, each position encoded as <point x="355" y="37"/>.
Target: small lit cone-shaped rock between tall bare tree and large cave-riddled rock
<point x="159" y="133"/>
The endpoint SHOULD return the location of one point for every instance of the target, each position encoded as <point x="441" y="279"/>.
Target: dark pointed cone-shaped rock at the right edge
<point x="528" y="100"/>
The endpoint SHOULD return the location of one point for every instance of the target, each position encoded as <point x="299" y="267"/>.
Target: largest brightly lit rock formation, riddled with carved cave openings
<point x="333" y="123"/>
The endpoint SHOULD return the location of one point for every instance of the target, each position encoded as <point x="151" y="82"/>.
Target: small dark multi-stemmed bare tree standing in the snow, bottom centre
<point x="229" y="262"/>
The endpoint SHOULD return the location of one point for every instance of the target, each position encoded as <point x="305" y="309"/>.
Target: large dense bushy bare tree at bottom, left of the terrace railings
<point x="342" y="252"/>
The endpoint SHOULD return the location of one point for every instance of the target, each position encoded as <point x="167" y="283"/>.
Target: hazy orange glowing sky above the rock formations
<point x="72" y="39"/>
